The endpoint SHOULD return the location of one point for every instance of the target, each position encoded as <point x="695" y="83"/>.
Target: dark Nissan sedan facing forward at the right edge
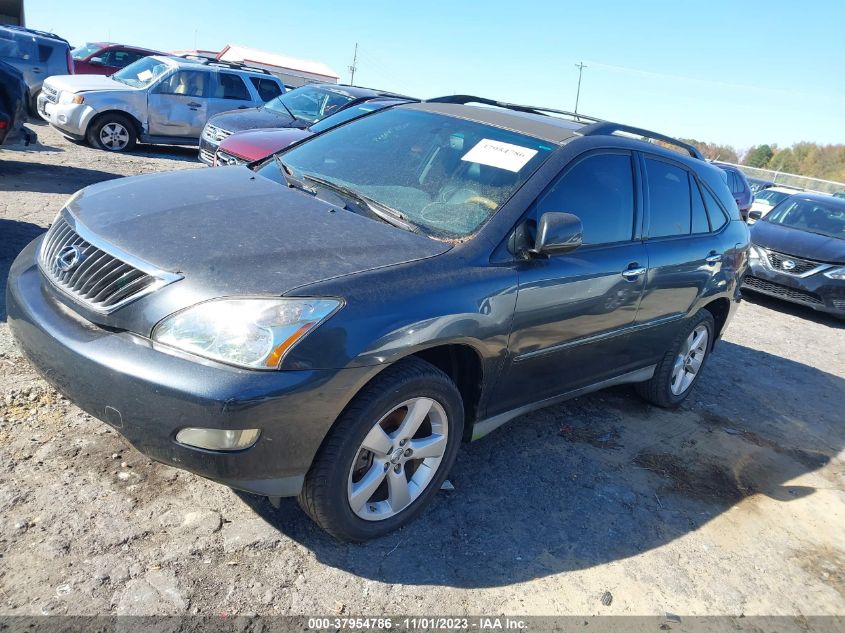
<point x="798" y="253"/>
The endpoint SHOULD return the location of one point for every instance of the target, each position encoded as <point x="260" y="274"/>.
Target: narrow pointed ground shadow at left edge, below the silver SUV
<point x="21" y="175"/>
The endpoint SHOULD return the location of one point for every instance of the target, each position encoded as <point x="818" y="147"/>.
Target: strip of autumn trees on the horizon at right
<point x="805" y="159"/>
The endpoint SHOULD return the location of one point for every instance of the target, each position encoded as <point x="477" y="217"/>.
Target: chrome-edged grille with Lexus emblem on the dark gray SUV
<point x="90" y="275"/>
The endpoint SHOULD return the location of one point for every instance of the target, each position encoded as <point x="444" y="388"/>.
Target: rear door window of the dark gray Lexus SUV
<point x="669" y="199"/>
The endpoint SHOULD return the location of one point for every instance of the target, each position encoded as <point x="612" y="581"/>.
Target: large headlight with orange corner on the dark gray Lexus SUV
<point x="254" y="333"/>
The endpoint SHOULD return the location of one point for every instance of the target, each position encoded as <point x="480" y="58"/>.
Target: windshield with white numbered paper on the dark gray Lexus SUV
<point x="447" y="176"/>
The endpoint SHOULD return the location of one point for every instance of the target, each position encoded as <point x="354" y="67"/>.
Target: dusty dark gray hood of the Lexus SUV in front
<point x="232" y="232"/>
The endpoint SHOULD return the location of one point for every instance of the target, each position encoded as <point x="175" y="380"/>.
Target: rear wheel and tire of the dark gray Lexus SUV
<point x="681" y="366"/>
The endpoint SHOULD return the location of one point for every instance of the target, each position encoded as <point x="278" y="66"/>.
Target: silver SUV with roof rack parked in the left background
<point x="158" y="99"/>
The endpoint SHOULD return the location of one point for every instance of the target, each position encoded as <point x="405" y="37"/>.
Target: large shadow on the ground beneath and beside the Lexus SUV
<point x="604" y="477"/>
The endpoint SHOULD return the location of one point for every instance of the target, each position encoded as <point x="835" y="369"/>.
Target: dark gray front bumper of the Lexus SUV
<point x="149" y="394"/>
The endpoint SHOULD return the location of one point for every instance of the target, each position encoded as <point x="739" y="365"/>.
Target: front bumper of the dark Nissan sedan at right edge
<point x="815" y="291"/>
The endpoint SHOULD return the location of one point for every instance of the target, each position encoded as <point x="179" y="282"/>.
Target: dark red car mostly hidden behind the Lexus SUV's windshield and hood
<point x="251" y="145"/>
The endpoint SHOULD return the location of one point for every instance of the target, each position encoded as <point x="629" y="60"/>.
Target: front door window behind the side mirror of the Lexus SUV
<point x="600" y="191"/>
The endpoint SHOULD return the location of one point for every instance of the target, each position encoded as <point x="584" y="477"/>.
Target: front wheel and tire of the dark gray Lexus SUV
<point x="387" y="455"/>
